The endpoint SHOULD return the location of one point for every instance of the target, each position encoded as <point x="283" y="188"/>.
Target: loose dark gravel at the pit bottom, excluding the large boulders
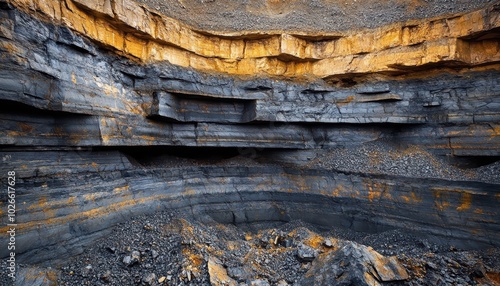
<point x="174" y="249"/>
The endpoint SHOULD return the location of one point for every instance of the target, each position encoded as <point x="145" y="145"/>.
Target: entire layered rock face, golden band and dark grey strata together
<point x="94" y="93"/>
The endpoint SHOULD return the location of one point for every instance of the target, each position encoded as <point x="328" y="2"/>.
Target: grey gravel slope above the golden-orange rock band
<point x="305" y="15"/>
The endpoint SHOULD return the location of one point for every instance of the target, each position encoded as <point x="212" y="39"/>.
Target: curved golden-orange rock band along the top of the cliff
<point x="134" y="31"/>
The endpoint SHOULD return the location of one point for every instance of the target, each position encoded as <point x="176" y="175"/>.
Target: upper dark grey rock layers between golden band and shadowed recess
<point x="126" y="103"/>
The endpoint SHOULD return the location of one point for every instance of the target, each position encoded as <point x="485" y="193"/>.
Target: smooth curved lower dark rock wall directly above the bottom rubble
<point x="66" y="199"/>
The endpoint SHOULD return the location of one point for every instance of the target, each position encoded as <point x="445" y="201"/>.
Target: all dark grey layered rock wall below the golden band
<point x="82" y="155"/>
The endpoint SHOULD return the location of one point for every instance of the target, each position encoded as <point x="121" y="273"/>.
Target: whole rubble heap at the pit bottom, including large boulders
<point x="235" y="257"/>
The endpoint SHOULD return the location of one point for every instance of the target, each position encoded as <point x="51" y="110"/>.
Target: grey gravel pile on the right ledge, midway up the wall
<point x="386" y="158"/>
